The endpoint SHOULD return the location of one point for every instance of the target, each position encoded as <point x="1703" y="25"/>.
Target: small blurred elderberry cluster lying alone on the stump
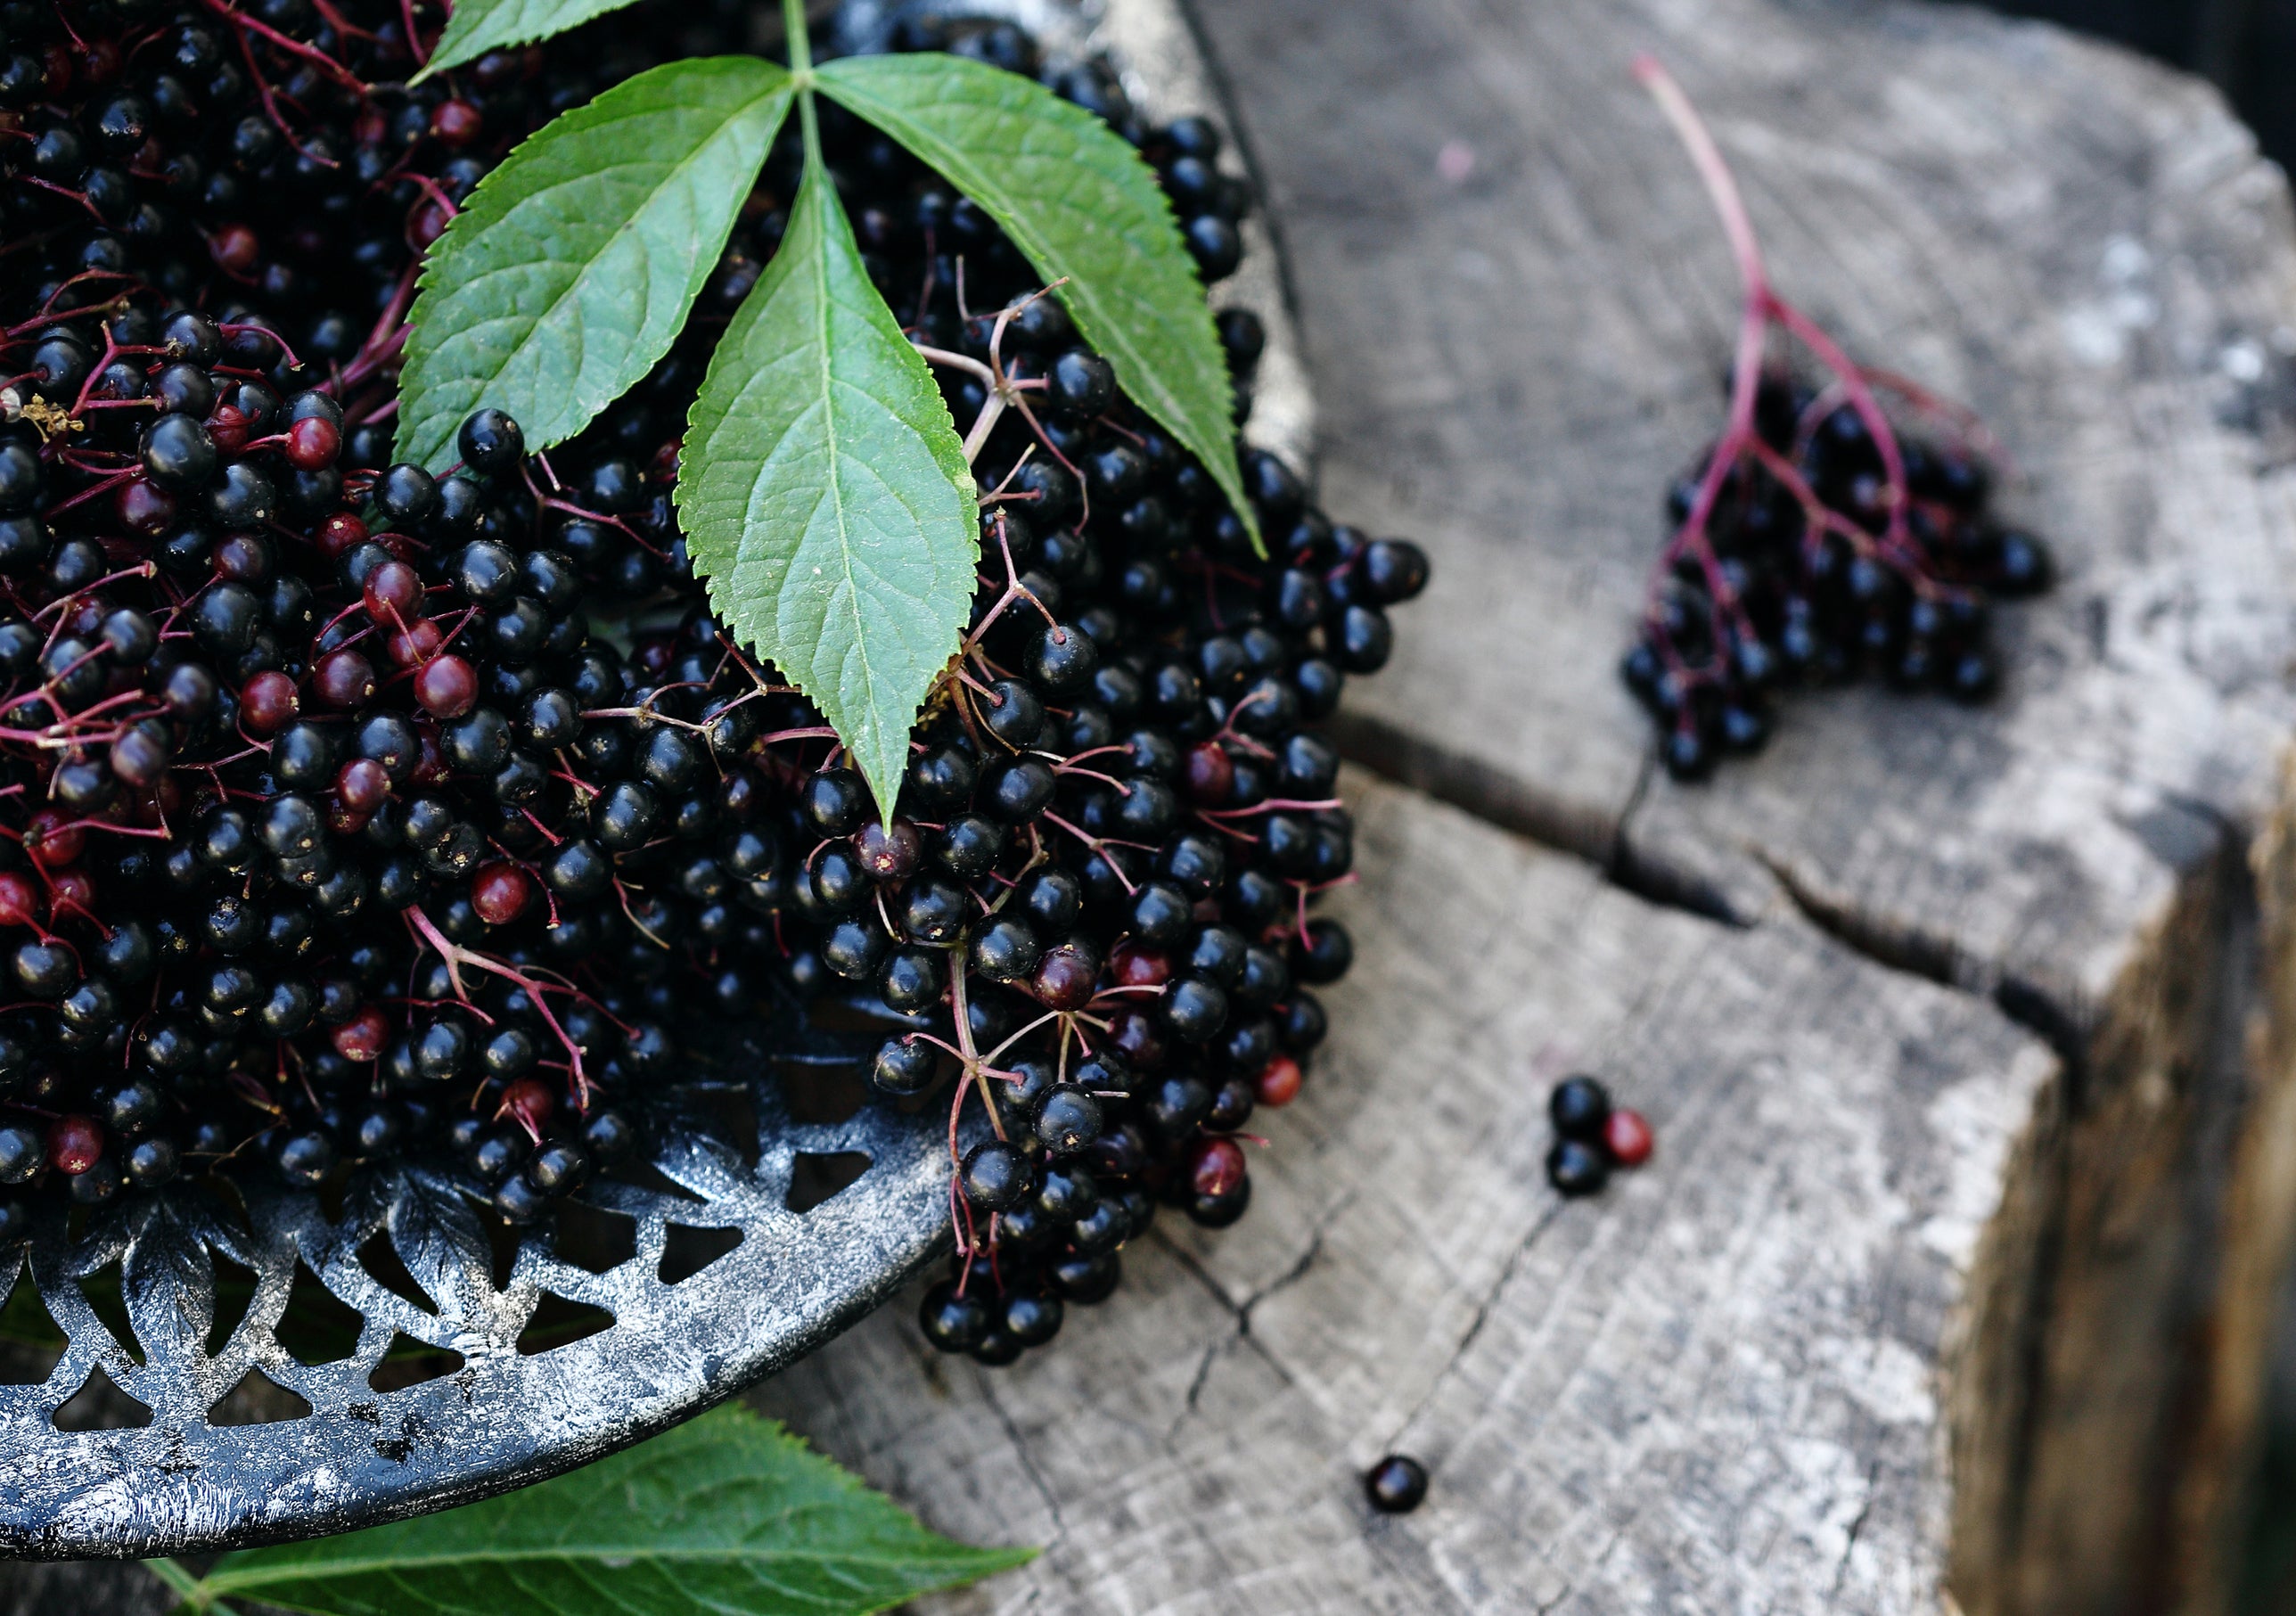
<point x="1810" y="568"/>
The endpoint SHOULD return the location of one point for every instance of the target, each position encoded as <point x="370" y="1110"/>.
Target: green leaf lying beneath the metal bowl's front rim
<point x="727" y="1514"/>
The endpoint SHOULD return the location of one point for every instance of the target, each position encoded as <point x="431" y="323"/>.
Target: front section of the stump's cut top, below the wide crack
<point x="1716" y="1388"/>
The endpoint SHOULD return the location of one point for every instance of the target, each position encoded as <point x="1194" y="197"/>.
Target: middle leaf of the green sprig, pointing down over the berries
<point x="825" y="492"/>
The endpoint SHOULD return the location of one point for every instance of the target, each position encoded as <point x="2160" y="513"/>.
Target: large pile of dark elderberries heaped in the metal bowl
<point x="350" y="811"/>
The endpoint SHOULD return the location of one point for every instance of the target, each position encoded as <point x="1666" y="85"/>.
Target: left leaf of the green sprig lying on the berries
<point x="575" y="263"/>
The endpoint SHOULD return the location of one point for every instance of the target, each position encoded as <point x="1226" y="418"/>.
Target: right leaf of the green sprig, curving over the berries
<point x="1080" y="203"/>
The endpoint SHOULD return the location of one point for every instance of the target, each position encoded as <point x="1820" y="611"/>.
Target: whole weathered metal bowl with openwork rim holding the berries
<point x="456" y="1374"/>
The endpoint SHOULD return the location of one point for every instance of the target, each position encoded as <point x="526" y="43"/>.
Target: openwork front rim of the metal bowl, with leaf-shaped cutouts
<point x="506" y="1415"/>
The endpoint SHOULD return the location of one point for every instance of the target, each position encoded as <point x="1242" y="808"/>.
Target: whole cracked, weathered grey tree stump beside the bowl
<point x="1680" y="1399"/>
